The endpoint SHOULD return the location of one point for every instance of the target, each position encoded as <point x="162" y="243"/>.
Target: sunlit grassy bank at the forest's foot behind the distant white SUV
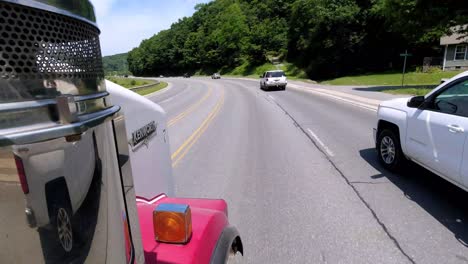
<point x="248" y="70"/>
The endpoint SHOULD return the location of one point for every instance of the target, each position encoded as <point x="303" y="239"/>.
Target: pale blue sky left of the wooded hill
<point x="125" y="23"/>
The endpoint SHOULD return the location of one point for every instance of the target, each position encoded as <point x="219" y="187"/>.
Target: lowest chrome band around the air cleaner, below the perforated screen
<point x="84" y="123"/>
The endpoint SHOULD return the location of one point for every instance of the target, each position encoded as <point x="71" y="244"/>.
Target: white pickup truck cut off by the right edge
<point x="429" y="130"/>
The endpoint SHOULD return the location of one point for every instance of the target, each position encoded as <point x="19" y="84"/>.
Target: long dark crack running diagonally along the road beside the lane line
<point x="349" y="183"/>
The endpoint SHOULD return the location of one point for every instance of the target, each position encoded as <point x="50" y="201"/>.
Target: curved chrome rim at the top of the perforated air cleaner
<point x="88" y="18"/>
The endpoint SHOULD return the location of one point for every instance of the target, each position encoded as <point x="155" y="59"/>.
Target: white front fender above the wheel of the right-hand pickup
<point x="396" y="118"/>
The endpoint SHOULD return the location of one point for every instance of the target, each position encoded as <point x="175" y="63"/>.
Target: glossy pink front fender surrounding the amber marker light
<point x="209" y="221"/>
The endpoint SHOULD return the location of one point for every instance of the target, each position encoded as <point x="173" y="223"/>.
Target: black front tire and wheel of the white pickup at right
<point x="389" y="150"/>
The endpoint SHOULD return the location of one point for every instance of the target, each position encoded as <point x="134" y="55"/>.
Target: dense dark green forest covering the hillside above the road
<point x="326" y="38"/>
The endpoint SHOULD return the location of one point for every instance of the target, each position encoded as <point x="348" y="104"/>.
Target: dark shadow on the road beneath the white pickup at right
<point x="444" y="201"/>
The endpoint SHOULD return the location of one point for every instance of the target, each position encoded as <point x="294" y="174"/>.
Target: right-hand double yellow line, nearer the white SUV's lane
<point x="187" y="145"/>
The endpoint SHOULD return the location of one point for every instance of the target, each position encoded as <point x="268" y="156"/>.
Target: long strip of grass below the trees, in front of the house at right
<point x="411" y="78"/>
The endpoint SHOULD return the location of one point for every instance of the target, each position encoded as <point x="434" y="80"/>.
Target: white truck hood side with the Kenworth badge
<point x="146" y="126"/>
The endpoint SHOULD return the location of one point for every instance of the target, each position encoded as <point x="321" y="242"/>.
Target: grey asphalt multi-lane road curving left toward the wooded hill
<point x="300" y="175"/>
